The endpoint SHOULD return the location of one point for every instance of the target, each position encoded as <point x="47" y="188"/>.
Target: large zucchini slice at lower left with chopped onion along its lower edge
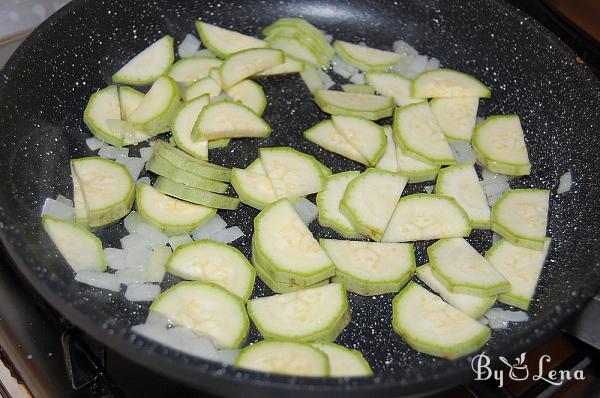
<point x="207" y="309"/>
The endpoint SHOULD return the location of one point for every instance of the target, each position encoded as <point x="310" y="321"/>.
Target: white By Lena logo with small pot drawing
<point x="519" y="371"/>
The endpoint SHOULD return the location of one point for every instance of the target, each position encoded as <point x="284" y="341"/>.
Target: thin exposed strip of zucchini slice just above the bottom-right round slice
<point x="473" y="306"/>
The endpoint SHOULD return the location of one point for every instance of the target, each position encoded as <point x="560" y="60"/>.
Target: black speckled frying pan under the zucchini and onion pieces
<point x="45" y="86"/>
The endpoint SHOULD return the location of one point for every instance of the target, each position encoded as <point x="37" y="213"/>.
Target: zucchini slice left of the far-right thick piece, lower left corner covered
<point x="461" y="182"/>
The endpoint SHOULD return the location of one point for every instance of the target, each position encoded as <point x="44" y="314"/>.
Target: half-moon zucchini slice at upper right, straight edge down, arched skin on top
<point x="444" y="83"/>
